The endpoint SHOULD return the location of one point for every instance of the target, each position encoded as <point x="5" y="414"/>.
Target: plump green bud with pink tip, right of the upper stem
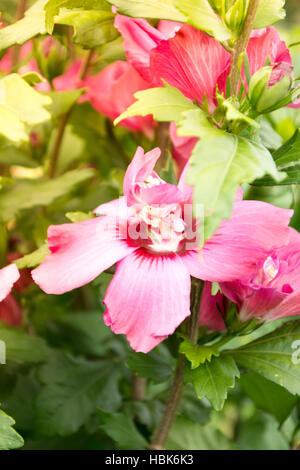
<point x="269" y="86"/>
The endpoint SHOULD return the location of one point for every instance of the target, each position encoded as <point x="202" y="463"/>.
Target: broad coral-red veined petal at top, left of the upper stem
<point x="191" y="61"/>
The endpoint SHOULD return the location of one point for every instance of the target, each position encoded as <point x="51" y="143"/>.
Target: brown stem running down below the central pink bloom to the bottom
<point x="177" y="388"/>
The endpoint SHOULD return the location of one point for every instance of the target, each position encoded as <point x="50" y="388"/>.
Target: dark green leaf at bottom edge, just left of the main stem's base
<point x="121" y="429"/>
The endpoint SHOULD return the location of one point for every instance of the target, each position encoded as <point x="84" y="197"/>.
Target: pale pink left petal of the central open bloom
<point x="79" y="253"/>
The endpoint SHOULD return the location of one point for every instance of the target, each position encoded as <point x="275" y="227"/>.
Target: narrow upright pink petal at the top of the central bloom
<point x="140" y="168"/>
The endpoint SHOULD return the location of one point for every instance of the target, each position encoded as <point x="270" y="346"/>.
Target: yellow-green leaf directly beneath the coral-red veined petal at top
<point x="165" y="104"/>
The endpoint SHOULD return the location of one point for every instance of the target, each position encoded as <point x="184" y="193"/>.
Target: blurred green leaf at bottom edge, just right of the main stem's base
<point x="186" y="435"/>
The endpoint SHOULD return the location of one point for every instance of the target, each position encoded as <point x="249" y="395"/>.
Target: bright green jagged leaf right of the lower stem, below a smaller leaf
<point x="212" y="379"/>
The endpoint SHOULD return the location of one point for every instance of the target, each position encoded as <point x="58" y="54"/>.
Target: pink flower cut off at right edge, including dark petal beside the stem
<point x="271" y="289"/>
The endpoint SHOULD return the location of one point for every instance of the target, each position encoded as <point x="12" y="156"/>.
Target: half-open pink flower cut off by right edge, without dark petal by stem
<point x="272" y="289"/>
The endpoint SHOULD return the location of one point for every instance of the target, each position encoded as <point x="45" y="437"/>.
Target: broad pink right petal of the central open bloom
<point x="254" y="230"/>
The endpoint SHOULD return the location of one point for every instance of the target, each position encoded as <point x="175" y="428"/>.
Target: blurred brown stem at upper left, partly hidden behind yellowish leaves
<point x="65" y="118"/>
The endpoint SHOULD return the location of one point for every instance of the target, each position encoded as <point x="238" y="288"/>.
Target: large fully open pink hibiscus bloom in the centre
<point x="151" y="235"/>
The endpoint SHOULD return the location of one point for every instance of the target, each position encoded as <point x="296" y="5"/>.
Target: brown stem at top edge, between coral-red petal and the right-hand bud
<point x="241" y="45"/>
